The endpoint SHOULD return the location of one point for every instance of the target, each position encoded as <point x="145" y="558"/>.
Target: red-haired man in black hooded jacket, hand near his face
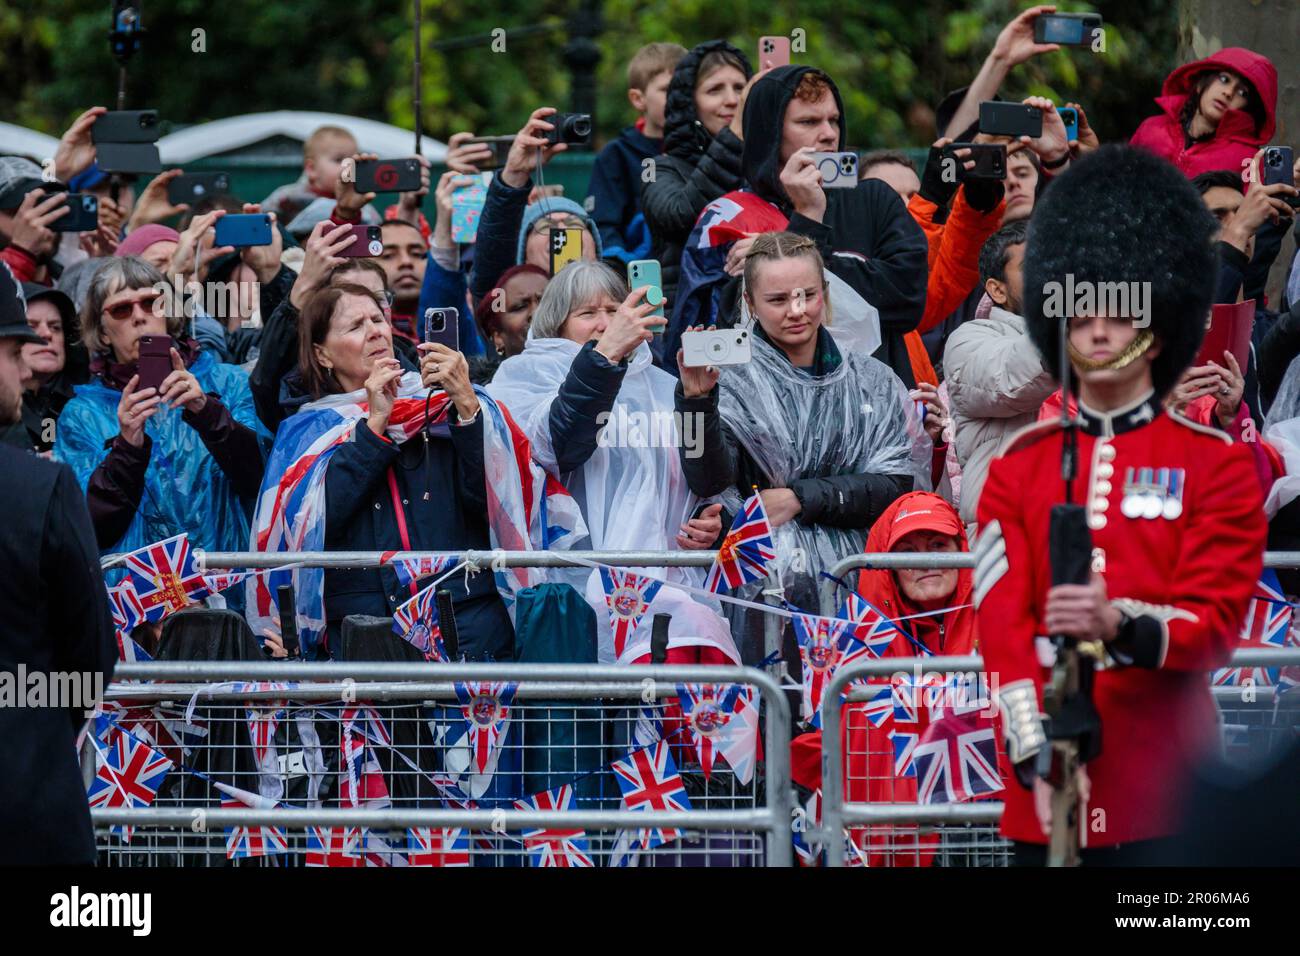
<point x="865" y="235"/>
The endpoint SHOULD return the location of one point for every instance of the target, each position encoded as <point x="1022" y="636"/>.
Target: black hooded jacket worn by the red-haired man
<point x="866" y="237"/>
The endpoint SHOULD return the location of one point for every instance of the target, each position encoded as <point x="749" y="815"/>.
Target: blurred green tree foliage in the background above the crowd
<point x="892" y="59"/>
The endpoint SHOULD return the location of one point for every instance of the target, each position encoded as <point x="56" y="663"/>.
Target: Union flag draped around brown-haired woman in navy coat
<point x="527" y="509"/>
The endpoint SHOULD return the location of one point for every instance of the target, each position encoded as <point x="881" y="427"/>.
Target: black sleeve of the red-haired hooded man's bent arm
<point x="894" y="275"/>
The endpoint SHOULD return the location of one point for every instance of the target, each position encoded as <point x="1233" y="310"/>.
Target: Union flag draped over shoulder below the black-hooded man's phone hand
<point x="703" y="278"/>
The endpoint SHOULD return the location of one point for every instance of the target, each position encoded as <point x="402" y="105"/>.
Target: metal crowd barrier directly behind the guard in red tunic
<point x="977" y="841"/>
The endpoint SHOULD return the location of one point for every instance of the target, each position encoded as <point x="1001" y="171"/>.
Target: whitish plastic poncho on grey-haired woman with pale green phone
<point x="632" y="491"/>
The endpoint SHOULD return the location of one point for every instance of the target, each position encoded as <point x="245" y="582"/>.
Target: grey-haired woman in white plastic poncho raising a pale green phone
<point x="600" y="418"/>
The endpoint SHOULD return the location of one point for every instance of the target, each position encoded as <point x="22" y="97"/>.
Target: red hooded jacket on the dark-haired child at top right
<point x="1237" y="139"/>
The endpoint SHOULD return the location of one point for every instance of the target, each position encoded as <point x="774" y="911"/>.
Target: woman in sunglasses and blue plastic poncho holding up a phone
<point x="184" y="457"/>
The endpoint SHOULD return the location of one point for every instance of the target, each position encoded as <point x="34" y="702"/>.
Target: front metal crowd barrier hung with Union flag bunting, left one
<point x="729" y="824"/>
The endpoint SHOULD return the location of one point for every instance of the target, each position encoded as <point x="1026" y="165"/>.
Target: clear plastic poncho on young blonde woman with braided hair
<point x="856" y="419"/>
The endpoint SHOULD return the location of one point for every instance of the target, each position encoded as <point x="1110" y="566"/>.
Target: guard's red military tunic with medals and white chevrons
<point x="1178" y="533"/>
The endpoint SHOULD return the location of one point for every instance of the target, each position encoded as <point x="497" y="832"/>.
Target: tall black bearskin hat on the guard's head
<point x="1124" y="215"/>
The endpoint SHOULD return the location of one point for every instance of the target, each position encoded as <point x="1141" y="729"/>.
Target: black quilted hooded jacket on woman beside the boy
<point x="694" y="171"/>
